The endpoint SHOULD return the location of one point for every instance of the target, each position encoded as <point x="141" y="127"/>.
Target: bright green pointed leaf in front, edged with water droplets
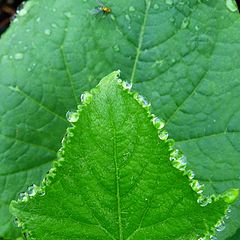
<point x="114" y="180"/>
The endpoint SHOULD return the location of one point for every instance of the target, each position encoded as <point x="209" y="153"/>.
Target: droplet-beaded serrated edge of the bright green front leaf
<point x="177" y="158"/>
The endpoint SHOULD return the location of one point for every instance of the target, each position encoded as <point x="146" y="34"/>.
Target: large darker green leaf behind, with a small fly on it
<point x="183" y="55"/>
